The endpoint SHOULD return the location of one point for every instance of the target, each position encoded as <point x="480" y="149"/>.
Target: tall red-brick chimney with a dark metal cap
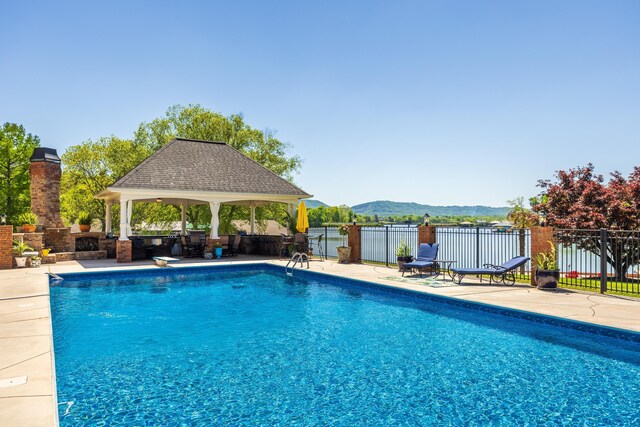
<point x="45" y="186"/>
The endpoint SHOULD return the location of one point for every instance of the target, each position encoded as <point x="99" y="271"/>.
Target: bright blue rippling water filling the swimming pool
<point x="253" y="347"/>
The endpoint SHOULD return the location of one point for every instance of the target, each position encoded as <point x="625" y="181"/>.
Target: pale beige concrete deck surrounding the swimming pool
<point x="26" y="341"/>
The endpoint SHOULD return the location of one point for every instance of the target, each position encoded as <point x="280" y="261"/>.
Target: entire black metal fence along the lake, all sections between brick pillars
<point x="579" y="259"/>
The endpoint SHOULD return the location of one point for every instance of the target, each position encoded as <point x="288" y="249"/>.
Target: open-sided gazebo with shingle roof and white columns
<point x="194" y="172"/>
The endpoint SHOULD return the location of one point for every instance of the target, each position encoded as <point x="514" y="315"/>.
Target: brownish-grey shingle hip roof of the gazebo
<point x="194" y="165"/>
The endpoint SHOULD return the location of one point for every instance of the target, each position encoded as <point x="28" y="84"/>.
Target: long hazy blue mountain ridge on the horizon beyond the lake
<point x="387" y="208"/>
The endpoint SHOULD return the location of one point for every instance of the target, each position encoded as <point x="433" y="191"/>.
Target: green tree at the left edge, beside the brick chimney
<point x="16" y="147"/>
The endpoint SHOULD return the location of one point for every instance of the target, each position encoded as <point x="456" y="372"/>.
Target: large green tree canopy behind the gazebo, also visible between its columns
<point x="93" y="165"/>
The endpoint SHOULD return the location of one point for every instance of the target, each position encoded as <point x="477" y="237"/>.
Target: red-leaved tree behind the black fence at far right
<point x="582" y="200"/>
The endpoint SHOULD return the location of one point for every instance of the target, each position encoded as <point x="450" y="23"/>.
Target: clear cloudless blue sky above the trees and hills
<point x="437" y="102"/>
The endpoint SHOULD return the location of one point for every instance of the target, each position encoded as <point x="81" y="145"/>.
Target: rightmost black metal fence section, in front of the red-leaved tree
<point x="599" y="260"/>
